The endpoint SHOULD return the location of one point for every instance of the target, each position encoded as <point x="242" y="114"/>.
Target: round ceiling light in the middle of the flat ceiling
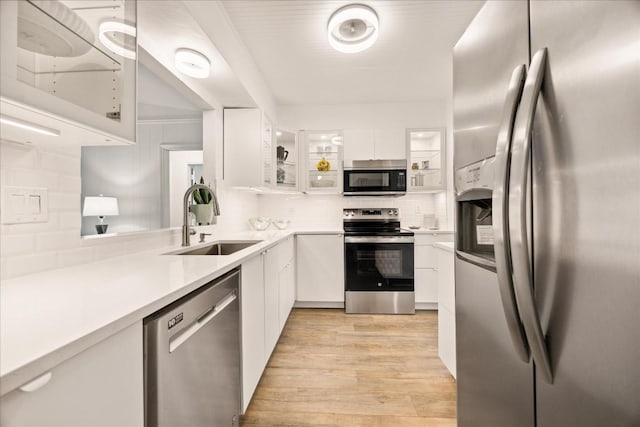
<point x="353" y="28"/>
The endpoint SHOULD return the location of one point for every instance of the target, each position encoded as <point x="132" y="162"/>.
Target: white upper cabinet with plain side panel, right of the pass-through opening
<point x="248" y="148"/>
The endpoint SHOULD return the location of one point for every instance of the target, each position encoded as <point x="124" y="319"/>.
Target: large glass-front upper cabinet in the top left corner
<point x="67" y="60"/>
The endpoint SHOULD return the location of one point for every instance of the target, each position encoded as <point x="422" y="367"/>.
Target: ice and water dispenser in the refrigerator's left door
<point x="474" y="190"/>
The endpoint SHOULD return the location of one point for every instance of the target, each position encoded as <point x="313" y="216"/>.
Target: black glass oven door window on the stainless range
<point x="378" y="267"/>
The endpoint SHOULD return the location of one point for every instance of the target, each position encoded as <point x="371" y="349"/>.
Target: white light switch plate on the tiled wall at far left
<point x="22" y="205"/>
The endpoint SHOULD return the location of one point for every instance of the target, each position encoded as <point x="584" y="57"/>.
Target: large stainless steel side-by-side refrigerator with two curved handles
<point x="547" y="159"/>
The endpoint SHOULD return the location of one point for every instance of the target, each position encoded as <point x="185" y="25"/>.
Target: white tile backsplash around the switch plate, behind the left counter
<point x="29" y="248"/>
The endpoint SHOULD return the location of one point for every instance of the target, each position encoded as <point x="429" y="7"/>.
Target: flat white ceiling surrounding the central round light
<point x="411" y="61"/>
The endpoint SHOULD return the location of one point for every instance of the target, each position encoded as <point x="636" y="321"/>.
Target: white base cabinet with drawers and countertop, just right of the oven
<point x="425" y="273"/>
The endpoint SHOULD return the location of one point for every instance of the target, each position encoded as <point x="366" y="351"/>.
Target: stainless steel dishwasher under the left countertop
<point x="192" y="358"/>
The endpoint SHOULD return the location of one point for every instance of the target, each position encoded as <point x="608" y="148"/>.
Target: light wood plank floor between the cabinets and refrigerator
<point x="334" y="369"/>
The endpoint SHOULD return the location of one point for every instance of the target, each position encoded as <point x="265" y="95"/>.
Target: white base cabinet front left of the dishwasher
<point x="101" y="386"/>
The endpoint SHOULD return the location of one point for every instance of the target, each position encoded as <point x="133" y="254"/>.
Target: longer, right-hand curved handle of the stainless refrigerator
<point x="520" y="257"/>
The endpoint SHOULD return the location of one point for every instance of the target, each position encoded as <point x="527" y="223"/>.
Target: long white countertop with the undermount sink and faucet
<point x="48" y="317"/>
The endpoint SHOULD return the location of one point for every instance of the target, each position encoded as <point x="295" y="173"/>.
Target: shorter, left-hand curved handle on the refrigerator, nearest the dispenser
<point x="500" y="214"/>
